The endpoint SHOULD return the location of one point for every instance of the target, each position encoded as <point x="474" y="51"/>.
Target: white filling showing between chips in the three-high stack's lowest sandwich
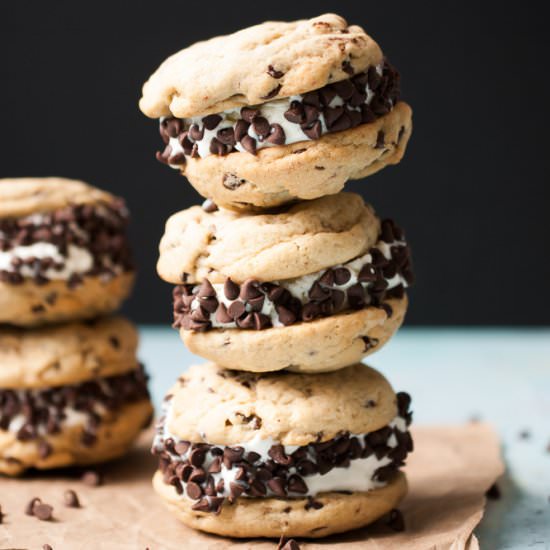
<point x="358" y="476"/>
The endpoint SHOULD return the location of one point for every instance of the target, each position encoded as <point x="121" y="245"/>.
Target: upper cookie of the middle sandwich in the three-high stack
<point x="300" y="239"/>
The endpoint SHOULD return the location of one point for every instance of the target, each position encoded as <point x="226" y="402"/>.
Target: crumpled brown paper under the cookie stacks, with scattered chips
<point x="448" y="474"/>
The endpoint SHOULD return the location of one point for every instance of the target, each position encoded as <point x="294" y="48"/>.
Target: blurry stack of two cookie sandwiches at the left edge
<point x="71" y="388"/>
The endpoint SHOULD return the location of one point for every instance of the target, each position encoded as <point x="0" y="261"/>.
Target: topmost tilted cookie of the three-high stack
<point x="271" y="60"/>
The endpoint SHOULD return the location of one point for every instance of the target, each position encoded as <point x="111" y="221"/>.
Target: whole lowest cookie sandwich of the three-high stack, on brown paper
<point x="229" y="451"/>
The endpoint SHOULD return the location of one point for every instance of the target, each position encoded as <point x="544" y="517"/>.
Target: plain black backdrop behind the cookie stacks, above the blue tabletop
<point x="472" y="191"/>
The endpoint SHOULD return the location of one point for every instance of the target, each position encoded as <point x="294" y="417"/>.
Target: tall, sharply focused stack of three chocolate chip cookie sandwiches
<point x="283" y="282"/>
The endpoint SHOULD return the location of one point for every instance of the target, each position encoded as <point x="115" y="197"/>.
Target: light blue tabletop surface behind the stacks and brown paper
<point x="499" y="376"/>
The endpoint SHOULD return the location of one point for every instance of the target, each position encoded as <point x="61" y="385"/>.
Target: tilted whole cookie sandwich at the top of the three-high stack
<point x="277" y="90"/>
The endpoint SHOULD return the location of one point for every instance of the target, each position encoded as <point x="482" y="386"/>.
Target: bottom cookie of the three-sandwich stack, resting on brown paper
<point x="326" y="514"/>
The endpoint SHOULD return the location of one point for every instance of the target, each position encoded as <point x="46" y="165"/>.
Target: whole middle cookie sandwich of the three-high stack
<point x="311" y="287"/>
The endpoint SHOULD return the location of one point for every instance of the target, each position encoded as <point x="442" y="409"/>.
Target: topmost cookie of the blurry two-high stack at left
<point x="24" y="196"/>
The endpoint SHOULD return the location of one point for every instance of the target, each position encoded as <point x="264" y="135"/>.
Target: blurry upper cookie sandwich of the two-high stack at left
<point x="64" y="253"/>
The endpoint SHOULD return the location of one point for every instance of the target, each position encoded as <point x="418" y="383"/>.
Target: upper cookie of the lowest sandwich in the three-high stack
<point x="225" y="407"/>
